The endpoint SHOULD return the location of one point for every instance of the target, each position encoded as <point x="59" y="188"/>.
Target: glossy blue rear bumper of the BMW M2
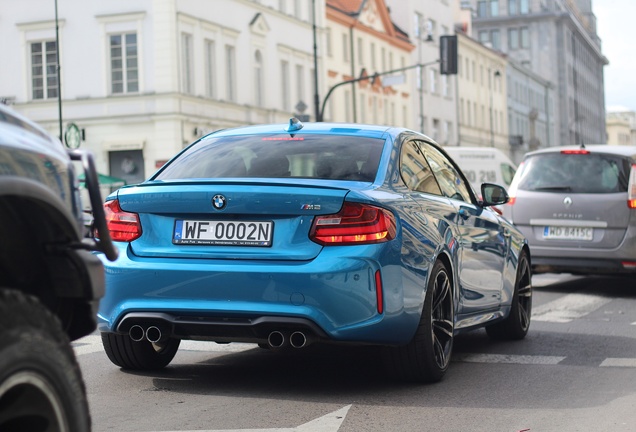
<point x="332" y="298"/>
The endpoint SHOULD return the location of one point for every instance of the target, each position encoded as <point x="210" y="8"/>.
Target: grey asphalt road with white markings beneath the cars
<point x="576" y="371"/>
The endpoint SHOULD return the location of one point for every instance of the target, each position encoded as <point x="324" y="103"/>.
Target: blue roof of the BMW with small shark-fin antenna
<point x="365" y="130"/>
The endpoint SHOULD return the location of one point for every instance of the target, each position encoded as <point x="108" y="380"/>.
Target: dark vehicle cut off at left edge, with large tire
<point x="50" y="281"/>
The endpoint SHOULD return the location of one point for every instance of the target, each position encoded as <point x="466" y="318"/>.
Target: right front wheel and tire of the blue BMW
<point x="516" y="325"/>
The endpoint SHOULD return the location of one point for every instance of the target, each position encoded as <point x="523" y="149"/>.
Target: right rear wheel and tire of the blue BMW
<point x="427" y="356"/>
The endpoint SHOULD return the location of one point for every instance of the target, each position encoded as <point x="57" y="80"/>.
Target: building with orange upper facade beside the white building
<point x="362" y="39"/>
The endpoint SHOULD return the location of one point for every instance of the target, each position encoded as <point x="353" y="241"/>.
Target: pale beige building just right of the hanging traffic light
<point x="482" y="95"/>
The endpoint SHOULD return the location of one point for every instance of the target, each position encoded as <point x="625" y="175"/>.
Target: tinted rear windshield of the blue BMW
<point x="331" y="157"/>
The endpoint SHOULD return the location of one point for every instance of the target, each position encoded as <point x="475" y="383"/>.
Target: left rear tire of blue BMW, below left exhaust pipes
<point x="142" y="355"/>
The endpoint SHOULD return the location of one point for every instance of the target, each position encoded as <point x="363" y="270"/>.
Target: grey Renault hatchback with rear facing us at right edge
<point x="577" y="207"/>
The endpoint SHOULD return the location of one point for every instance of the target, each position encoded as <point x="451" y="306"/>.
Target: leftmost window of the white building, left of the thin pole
<point x="44" y="70"/>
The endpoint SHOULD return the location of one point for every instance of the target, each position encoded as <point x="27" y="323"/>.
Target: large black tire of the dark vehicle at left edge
<point x="41" y="386"/>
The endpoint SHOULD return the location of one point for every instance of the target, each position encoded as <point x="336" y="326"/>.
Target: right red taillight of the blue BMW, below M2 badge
<point x="354" y="224"/>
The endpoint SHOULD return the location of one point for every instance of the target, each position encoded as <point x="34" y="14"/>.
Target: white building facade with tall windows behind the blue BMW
<point x="144" y="78"/>
